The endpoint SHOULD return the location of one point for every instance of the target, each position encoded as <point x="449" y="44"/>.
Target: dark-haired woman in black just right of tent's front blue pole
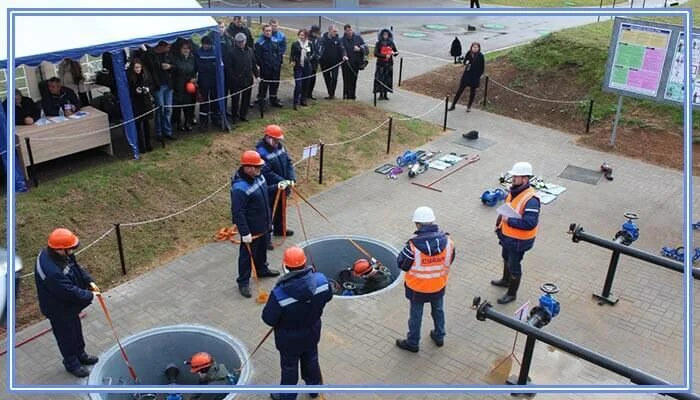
<point x="140" y="87"/>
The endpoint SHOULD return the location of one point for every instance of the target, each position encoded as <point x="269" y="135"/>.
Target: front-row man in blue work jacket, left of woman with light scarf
<point x="267" y="55"/>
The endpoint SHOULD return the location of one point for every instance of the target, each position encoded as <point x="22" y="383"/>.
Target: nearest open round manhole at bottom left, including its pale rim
<point x="151" y="352"/>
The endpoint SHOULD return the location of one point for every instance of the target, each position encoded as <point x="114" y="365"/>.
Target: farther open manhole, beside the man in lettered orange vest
<point x="334" y="254"/>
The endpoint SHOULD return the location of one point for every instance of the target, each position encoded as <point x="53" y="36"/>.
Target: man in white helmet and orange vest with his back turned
<point x="426" y="258"/>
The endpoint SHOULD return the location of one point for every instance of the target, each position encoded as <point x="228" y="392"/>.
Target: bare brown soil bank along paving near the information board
<point x="641" y="134"/>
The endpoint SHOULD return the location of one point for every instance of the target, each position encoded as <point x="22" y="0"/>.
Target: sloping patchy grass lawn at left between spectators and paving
<point x="186" y="171"/>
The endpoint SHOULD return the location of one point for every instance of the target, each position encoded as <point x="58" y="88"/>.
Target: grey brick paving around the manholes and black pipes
<point x="644" y="330"/>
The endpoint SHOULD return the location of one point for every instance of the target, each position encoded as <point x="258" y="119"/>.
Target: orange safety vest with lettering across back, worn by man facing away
<point x="428" y="274"/>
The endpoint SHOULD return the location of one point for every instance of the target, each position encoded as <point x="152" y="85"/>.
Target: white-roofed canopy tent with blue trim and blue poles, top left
<point x="95" y="36"/>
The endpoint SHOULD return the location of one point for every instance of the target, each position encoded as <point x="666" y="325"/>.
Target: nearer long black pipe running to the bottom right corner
<point x="485" y="311"/>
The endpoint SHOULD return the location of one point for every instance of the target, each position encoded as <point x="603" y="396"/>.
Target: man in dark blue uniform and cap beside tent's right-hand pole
<point x="205" y="65"/>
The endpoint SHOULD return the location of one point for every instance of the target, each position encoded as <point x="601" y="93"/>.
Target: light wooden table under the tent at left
<point x="46" y="141"/>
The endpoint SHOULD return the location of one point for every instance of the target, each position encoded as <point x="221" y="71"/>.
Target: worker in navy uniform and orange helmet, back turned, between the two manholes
<point x="294" y="310"/>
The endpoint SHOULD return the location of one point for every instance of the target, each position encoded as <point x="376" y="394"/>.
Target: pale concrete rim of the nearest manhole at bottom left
<point x="238" y="346"/>
